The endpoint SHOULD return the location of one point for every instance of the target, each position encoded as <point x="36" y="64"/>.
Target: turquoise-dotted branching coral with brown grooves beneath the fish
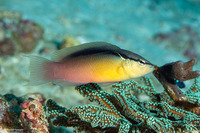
<point x="121" y="111"/>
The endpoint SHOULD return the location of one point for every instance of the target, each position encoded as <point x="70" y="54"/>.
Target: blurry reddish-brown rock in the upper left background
<point x="17" y="35"/>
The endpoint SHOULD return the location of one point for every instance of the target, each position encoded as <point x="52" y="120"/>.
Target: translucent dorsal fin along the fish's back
<point x="94" y="46"/>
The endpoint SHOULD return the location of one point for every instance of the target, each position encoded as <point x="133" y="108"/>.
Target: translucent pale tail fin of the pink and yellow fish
<point x="38" y="70"/>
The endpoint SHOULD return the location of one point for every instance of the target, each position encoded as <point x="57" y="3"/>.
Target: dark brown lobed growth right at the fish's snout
<point x="169" y="73"/>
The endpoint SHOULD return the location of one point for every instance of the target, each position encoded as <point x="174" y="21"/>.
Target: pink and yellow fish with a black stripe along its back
<point x="94" y="62"/>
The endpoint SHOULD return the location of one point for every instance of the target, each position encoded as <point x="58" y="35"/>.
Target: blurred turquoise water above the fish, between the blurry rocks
<point x="127" y="23"/>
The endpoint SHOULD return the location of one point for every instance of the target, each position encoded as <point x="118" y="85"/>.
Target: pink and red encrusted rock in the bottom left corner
<point x="23" y="114"/>
